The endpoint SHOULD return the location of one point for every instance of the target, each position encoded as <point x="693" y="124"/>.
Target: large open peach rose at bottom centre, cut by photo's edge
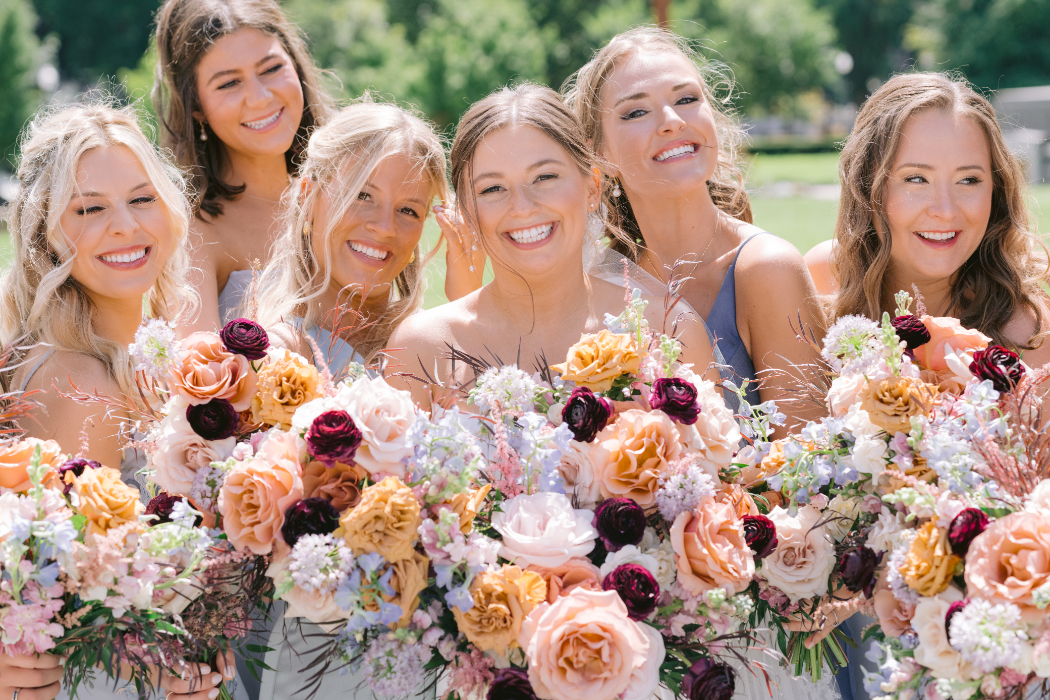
<point x="584" y="646"/>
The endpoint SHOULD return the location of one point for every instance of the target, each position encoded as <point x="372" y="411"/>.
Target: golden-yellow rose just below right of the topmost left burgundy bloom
<point x="286" y="383"/>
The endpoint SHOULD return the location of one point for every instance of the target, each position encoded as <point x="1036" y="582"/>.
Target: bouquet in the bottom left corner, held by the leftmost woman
<point x="89" y="572"/>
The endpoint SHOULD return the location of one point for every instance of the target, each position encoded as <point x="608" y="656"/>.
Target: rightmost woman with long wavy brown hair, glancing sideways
<point x="933" y="198"/>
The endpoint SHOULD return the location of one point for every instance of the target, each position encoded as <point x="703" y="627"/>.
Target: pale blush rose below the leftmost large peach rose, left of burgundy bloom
<point x="181" y="453"/>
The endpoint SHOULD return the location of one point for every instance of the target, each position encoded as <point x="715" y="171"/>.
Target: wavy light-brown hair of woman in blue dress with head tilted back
<point x="583" y="94"/>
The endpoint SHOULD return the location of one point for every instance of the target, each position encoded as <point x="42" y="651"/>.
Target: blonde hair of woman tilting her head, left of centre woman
<point x="340" y="159"/>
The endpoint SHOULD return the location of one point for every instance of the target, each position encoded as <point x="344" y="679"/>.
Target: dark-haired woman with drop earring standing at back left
<point x="238" y="95"/>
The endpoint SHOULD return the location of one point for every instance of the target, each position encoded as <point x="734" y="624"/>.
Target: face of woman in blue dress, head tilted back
<point x="659" y="129"/>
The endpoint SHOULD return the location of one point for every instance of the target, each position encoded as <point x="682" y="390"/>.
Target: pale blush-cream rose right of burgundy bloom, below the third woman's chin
<point x="384" y="415"/>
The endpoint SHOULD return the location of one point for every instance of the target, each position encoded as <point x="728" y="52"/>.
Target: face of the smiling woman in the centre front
<point x="532" y="200"/>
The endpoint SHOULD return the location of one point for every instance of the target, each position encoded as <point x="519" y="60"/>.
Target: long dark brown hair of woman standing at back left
<point x="186" y="31"/>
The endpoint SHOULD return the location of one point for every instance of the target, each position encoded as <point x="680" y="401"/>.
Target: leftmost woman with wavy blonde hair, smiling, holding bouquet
<point x="99" y="232"/>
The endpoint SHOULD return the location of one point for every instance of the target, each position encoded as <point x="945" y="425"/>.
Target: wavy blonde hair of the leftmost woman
<point x="40" y="300"/>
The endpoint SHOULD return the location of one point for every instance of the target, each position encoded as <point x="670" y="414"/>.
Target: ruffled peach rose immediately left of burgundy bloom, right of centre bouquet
<point x="711" y="550"/>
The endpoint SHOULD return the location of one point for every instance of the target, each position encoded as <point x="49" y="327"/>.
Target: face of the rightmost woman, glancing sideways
<point x="938" y="197"/>
